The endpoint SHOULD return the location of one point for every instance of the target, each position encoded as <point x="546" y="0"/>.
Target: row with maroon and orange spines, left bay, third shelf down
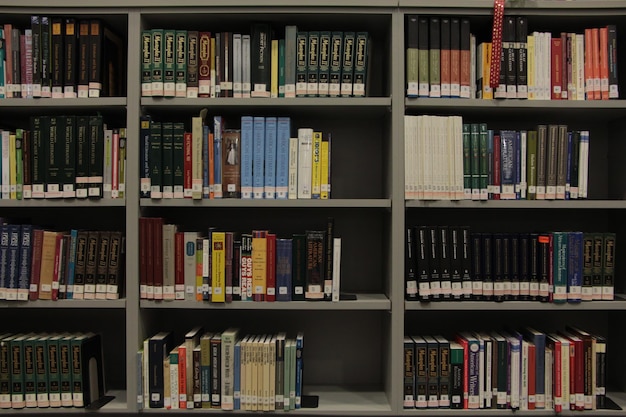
<point x="40" y="264"/>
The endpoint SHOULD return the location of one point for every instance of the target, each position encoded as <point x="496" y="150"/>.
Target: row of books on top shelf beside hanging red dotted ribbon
<point x="444" y="60"/>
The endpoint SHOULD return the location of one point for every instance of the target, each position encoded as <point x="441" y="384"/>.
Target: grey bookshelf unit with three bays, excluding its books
<point x="353" y="348"/>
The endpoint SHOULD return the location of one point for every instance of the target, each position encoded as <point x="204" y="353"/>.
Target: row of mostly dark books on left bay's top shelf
<point x="61" y="57"/>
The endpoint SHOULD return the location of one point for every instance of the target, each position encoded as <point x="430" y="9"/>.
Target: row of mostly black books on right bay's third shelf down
<point x="454" y="263"/>
